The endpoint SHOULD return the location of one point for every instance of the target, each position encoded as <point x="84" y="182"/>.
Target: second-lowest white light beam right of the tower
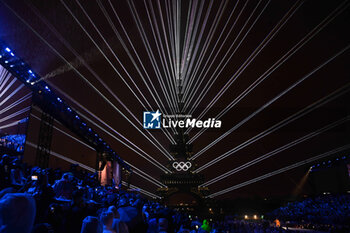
<point x="277" y="151"/>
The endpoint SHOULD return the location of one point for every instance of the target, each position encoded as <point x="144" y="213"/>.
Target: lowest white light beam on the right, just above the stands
<point x="279" y="171"/>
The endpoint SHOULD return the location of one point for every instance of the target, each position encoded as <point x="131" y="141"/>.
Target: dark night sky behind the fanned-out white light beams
<point x="312" y="35"/>
